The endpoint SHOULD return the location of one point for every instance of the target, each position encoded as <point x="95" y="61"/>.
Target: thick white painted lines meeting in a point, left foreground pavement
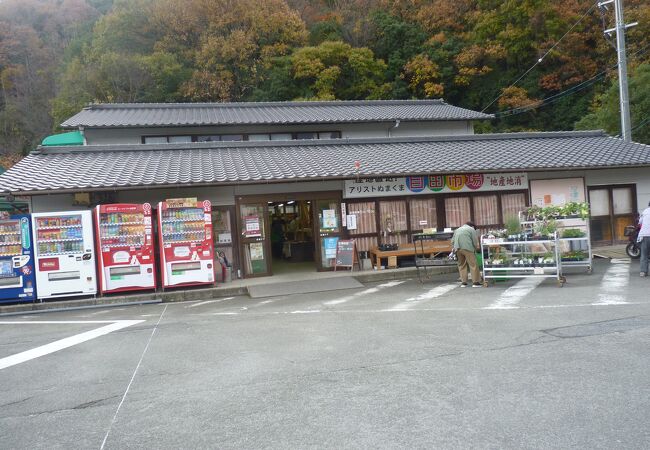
<point x="63" y="343"/>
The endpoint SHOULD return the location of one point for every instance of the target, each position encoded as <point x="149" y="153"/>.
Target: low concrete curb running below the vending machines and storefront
<point x="184" y="295"/>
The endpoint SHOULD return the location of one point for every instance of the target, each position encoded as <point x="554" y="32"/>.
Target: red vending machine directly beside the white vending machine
<point x="125" y="247"/>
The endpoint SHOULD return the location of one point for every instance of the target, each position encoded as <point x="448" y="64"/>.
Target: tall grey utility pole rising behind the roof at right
<point x="626" y="127"/>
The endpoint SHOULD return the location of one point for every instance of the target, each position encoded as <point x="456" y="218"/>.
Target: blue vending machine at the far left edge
<point x="17" y="277"/>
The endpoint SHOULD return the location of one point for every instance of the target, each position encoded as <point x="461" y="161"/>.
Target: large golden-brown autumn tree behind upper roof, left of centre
<point x="228" y="43"/>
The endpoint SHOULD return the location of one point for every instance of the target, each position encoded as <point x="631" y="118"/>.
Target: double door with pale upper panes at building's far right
<point x="612" y="209"/>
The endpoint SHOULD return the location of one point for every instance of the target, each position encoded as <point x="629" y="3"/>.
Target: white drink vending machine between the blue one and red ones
<point x="65" y="257"/>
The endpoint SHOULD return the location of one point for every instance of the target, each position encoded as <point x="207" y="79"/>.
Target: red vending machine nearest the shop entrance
<point x="185" y="236"/>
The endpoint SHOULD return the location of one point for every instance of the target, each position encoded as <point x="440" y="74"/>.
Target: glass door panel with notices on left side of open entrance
<point x="253" y="223"/>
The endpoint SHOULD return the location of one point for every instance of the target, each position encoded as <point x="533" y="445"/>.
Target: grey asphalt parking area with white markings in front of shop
<point x="394" y="364"/>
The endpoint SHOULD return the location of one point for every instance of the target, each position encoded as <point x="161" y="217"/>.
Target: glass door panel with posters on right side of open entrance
<point x="327" y="220"/>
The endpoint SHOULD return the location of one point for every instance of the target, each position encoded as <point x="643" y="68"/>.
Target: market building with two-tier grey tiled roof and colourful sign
<point x="284" y="177"/>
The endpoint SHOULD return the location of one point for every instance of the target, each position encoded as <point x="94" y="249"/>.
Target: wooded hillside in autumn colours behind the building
<point x="58" y="55"/>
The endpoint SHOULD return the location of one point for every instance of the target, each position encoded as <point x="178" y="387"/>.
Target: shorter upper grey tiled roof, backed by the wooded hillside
<point x="203" y="114"/>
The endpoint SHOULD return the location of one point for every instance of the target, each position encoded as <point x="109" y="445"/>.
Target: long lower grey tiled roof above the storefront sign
<point x="121" y="166"/>
